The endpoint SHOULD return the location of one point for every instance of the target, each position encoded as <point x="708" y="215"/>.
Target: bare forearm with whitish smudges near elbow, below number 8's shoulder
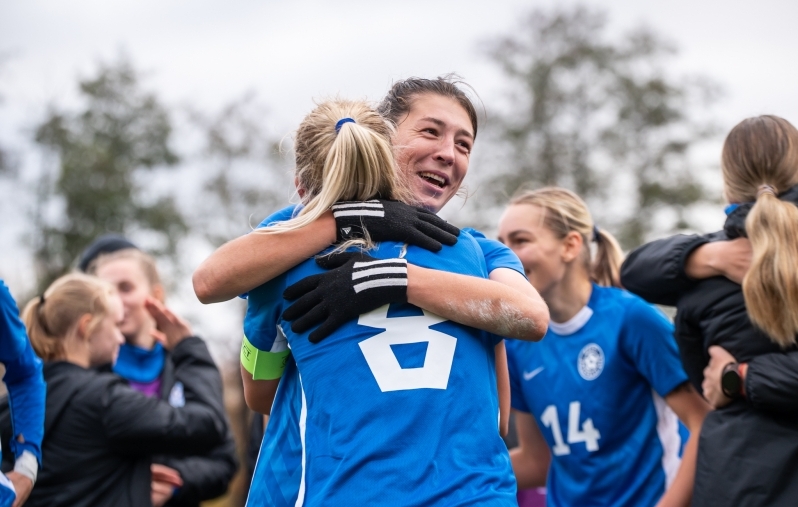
<point x="476" y="302"/>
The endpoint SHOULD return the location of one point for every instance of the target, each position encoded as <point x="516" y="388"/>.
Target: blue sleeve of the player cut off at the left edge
<point x="23" y="378"/>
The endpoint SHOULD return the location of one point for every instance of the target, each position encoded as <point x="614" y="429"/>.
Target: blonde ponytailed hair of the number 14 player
<point x="566" y="212"/>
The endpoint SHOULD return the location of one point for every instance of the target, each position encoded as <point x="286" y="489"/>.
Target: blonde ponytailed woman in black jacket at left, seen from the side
<point x="100" y="434"/>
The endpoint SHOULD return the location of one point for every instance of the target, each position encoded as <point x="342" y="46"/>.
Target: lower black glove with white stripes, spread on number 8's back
<point x="356" y="283"/>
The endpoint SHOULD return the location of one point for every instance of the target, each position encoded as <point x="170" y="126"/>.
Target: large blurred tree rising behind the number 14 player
<point x="601" y="117"/>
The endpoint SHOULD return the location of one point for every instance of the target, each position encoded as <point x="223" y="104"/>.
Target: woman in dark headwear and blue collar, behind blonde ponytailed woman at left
<point x="149" y="368"/>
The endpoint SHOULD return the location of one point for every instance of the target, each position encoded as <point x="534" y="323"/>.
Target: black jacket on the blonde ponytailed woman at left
<point x="100" y="434"/>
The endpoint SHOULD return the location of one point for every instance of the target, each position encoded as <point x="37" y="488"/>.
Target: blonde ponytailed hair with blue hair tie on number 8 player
<point x="343" y="160"/>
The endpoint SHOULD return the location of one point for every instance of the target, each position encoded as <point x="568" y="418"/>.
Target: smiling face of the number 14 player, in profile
<point x="543" y="255"/>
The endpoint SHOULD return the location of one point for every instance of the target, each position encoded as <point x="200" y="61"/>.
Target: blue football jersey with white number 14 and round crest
<point x="595" y="386"/>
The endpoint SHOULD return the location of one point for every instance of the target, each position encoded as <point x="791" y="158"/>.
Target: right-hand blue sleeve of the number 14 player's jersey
<point x="647" y="339"/>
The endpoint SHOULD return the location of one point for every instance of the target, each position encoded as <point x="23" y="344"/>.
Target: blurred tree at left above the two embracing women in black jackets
<point x="99" y="158"/>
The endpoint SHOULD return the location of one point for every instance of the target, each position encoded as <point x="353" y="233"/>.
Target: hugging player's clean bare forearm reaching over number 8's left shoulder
<point x="247" y="262"/>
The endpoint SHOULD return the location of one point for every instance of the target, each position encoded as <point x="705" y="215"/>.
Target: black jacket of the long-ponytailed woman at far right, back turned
<point x="748" y="450"/>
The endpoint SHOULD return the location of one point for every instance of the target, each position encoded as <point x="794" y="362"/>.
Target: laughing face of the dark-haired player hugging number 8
<point x="433" y="147"/>
